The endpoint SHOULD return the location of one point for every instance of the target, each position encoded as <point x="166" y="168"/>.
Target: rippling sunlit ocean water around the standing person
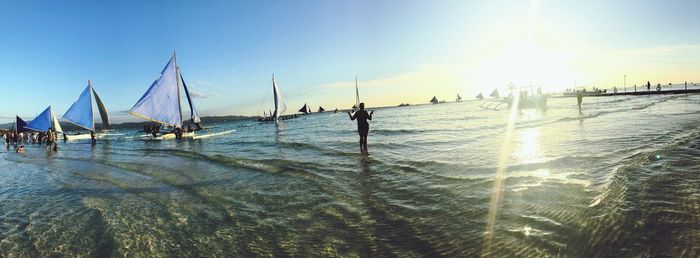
<point x="620" y="179"/>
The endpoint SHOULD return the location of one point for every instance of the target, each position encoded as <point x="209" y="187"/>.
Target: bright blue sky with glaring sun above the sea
<point x="399" y="50"/>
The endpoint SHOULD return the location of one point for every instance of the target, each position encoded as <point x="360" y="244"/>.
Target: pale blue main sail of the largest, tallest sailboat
<point x="161" y="103"/>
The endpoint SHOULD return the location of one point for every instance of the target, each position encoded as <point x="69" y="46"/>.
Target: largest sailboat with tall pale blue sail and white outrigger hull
<point x="161" y="104"/>
